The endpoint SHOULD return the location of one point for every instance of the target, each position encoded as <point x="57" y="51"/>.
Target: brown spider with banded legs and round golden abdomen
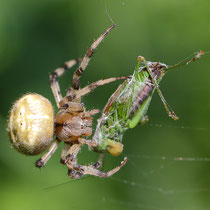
<point x="32" y="125"/>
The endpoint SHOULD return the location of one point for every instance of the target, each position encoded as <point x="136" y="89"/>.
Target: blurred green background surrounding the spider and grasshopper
<point x="38" y="36"/>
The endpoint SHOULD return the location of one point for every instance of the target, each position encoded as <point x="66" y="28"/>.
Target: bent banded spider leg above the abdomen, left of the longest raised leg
<point x="53" y="80"/>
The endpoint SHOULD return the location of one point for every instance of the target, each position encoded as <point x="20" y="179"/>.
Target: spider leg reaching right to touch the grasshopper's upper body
<point x="96" y="84"/>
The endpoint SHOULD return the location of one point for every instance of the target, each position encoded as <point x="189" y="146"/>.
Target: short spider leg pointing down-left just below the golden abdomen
<point x="43" y="160"/>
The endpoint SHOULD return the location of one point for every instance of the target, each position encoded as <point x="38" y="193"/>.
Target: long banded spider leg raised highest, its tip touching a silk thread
<point x="87" y="57"/>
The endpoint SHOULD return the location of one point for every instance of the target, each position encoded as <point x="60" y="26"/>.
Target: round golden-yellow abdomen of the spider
<point x="31" y="124"/>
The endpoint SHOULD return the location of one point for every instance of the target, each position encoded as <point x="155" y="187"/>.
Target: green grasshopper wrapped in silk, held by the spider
<point x="128" y="105"/>
